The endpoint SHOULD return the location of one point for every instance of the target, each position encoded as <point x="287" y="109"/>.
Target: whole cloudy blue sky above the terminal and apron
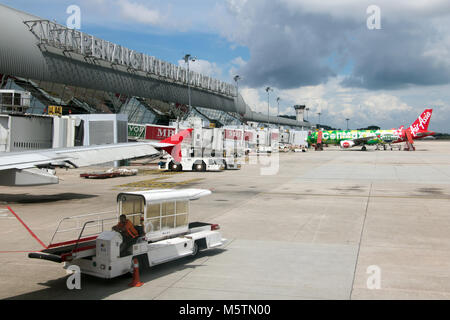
<point x="379" y="65"/>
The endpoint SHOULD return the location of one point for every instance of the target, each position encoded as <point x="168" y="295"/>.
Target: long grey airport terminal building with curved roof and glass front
<point x="84" y="74"/>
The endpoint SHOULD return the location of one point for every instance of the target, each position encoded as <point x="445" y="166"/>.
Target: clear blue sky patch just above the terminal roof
<point x="169" y="45"/>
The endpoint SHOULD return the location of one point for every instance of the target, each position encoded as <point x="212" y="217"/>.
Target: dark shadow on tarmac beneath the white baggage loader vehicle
<point x="93" y="288"/>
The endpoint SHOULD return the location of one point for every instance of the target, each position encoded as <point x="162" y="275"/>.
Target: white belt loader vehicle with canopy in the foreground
<point x="161" y="218"/>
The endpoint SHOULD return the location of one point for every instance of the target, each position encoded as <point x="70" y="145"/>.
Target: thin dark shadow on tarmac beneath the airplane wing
<point x="42" y="198"/>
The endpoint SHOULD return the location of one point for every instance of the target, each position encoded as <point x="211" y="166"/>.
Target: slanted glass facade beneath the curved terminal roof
<point x="77" y="100"/>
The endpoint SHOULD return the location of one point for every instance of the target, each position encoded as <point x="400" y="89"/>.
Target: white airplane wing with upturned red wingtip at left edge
<point x="35" y="168"/>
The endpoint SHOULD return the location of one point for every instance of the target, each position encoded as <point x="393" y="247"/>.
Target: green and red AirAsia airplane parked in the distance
<point x="353" y="138"/>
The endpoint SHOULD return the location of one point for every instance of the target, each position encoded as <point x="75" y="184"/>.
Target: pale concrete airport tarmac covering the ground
<point x="335" y="224"/>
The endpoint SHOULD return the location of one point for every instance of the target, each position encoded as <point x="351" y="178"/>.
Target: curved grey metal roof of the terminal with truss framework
<point x="30" y="51"/>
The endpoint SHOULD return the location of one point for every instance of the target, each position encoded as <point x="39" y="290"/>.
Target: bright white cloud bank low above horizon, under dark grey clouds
<point x="387" y="109"/>
